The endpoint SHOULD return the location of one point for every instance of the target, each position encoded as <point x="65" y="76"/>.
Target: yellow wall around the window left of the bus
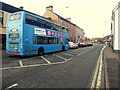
<point x="5" y="16"/>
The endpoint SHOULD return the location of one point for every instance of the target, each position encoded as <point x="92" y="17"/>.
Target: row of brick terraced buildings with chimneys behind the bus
<point x="76" y="34"/>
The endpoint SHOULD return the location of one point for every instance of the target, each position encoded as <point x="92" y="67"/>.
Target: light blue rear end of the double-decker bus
<point x="14" y="36"/>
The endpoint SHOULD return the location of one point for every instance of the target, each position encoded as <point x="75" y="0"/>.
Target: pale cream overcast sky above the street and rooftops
<point x="94" y="16"/>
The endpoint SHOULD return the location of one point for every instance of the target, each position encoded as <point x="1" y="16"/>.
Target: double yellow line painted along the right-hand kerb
<point x="96" y="82"/>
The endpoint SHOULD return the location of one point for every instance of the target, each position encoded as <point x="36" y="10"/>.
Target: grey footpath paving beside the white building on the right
<point x="111" y="62"/>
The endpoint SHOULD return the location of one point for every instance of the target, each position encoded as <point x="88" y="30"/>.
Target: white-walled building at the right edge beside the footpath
<point x="115" y="29"/>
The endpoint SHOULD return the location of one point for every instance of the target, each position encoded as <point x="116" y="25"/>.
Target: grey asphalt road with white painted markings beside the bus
<point x="73" y="68"/>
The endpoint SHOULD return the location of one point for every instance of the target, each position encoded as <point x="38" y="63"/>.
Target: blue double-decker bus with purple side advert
<point x="29" y="34"/>
